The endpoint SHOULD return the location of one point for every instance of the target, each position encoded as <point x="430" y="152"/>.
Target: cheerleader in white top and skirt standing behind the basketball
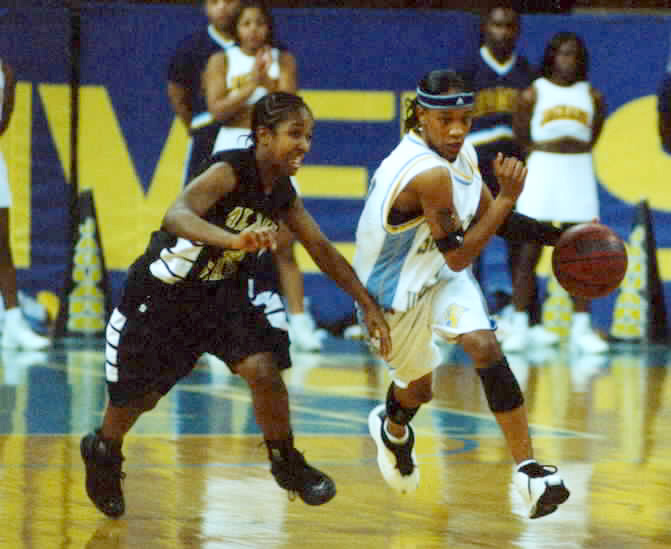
<point x="558" y="119"/>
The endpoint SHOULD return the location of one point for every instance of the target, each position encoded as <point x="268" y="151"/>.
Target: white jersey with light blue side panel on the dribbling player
<point x="398" y="263"/>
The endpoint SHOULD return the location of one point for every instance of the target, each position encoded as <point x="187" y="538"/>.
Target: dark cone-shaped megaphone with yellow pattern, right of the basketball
<point x="639" y="313"/>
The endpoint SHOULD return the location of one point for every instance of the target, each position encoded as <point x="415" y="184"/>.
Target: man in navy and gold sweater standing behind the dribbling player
<point x="497" y="76"/>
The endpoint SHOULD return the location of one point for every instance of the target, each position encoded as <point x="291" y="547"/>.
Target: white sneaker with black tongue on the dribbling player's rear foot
<point x="397" y="462"/>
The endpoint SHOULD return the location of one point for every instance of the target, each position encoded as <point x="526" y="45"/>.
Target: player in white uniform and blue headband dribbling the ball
<point x="426" y="218"/>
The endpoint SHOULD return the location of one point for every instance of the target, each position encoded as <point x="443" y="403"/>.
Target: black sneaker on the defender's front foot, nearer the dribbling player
<point x="294" y="474"/>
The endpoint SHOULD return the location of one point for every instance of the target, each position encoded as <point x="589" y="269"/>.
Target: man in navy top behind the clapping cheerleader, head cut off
<point x="185" y="89"/>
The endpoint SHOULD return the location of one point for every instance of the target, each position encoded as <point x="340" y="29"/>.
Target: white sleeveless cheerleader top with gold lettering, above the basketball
<point x="562" y="111"/>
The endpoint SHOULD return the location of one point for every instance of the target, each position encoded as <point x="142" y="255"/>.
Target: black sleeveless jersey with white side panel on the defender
<point x="175" y="262"/>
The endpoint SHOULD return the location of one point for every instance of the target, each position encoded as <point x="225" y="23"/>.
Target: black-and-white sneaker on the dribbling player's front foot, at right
<point x="541" y="488"/>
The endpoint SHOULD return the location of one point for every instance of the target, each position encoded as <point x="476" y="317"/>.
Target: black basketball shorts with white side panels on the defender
<point x="152" y="344"/>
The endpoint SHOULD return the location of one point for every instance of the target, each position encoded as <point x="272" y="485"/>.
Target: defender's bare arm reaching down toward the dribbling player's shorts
<point x="330" y="261"/>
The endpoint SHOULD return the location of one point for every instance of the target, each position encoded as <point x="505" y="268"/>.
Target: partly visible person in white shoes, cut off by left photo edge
<point x="16" y="333"/>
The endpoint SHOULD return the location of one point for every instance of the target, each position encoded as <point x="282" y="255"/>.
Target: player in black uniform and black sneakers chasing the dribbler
<point x="188" y="294"/>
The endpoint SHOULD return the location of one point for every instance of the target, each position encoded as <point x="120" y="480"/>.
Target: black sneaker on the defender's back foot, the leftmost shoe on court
<point x="103" y="460"/>
